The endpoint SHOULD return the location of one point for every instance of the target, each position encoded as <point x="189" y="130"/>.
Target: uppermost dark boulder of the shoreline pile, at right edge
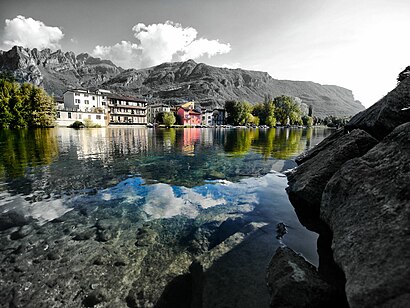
<point x="388" y="113"/>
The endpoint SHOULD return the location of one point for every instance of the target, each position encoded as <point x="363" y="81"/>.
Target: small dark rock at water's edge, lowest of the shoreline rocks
<point x="294" y="282"/>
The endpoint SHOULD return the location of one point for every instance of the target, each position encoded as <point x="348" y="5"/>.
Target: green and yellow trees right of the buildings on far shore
<point x="283" y="110"/>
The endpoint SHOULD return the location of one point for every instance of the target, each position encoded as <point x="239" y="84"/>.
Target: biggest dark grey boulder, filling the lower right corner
<point x="367" y="206"/>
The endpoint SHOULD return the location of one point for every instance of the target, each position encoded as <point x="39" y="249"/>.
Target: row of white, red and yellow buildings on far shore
<point x="105" y="108"/>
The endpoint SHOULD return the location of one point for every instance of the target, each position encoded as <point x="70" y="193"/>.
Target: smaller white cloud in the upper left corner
<point x="31" y="33"/>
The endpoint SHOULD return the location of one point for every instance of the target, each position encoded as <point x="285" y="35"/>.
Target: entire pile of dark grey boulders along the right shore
<point x="353" y="189"/>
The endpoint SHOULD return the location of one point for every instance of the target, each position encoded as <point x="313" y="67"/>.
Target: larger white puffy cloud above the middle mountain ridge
<point x="158" y="43"/>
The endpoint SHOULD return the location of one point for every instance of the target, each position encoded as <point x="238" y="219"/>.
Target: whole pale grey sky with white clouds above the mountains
<point x="361" y="45"/>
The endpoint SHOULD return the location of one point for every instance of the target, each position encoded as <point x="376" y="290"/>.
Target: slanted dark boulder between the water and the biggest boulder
<point x="307" y="181"/>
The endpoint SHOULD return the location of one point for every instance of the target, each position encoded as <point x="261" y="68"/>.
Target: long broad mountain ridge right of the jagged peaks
<point x="213" y="86"/>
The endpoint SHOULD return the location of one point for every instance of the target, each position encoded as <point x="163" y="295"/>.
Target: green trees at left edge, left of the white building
<point x="24" y="105"/>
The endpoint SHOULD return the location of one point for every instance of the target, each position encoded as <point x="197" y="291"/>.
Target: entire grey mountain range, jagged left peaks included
<point x="210" y="86"/>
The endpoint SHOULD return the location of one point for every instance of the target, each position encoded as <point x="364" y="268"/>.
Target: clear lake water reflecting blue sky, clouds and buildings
<point x="140" y="217"/>
